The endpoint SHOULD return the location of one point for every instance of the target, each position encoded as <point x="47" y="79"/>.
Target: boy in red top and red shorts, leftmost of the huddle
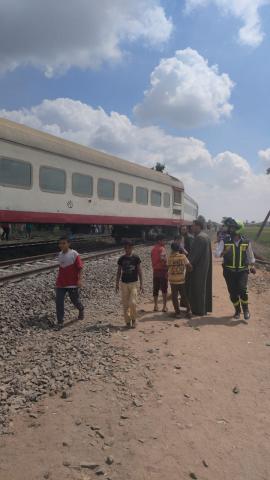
<point x="160" y="272"/>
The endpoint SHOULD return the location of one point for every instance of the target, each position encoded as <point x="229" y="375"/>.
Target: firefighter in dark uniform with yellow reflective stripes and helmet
<point x="238" y="261"/>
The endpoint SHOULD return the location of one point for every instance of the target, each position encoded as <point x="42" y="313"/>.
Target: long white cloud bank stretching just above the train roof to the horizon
<point x="224" y="185"/>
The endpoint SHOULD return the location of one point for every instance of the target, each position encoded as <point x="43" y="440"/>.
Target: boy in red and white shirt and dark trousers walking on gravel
<point x="68" y="280"/>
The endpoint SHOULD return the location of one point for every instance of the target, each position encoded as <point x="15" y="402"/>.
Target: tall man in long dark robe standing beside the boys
<point x="201" y="276"/>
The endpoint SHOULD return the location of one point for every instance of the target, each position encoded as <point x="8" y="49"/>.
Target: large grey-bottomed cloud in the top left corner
<point x="56" y="35"/>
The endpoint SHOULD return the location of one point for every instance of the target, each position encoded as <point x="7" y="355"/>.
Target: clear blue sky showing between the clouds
<point x="119" y="84"/>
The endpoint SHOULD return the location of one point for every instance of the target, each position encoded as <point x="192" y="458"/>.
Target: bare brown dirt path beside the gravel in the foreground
<point x="194" y="402"/>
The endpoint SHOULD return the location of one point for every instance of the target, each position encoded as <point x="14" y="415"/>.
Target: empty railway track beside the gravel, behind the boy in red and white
<point x="19" y="269"/>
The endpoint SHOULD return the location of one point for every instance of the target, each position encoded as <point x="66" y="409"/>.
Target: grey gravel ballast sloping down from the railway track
<point x="35" y="360"/>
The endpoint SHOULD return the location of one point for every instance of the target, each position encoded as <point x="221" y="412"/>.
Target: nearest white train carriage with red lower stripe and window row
<point x="45" y="179"/>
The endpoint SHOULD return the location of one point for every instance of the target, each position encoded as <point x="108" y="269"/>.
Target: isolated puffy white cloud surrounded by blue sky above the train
<point x="186" y="92"/>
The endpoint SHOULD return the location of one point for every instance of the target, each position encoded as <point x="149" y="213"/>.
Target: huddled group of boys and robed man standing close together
<point x="188" y="269"/>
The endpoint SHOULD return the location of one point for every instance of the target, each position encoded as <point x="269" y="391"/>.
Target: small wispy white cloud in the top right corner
<point x="247" y="11"/>
